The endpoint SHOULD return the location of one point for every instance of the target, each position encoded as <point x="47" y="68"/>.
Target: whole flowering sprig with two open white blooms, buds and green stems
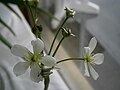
<point x="41" y="64"/>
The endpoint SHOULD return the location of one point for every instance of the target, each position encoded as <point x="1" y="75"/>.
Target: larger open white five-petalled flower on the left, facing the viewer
<point x="32" y="60"/>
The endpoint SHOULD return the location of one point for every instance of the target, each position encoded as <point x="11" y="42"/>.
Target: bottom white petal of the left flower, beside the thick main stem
<point x="35" y="74"/>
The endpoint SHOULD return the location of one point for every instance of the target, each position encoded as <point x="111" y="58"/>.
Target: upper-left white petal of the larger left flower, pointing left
<point x="20" y="51"/>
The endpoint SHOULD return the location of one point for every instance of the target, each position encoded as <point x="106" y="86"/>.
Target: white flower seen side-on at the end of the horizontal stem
<point x="91" y="59"/>
